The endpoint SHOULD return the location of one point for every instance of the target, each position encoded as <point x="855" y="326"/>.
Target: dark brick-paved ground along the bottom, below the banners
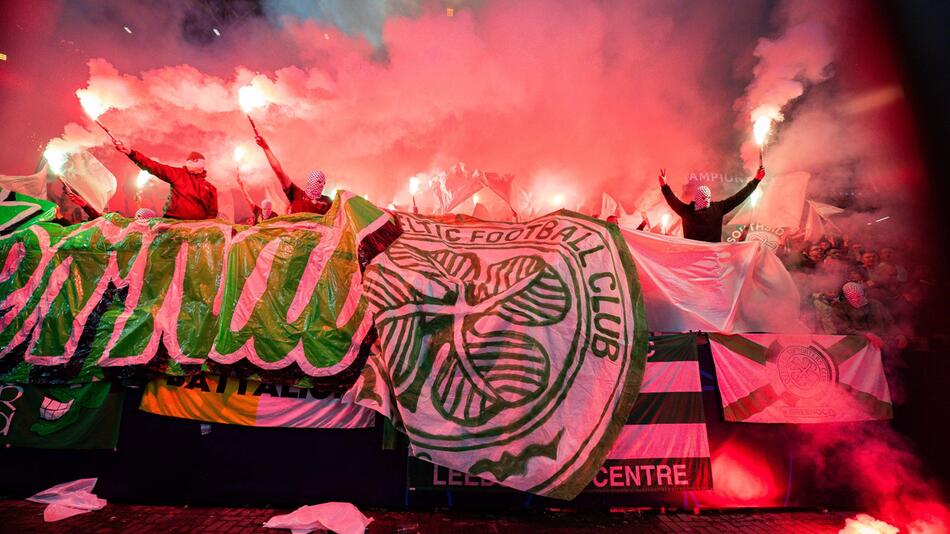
<point x="22" y="517"/>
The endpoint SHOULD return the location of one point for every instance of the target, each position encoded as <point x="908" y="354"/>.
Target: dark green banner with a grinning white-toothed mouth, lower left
<point x="83" y="416"/>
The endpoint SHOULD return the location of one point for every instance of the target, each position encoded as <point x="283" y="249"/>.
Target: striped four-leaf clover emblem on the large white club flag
<point x="444" y="309"/>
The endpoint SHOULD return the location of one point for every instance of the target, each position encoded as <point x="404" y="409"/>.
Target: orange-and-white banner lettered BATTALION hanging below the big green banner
<point x="238" y="401"/>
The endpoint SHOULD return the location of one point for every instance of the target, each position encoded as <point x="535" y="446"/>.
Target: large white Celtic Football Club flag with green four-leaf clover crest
<point x="512" y="352"/>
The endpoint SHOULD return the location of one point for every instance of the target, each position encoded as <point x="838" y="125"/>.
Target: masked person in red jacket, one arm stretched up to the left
<point x="192" y="197"/>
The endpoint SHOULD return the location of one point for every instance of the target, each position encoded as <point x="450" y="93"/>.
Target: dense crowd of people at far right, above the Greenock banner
<point x="848" y="287"/>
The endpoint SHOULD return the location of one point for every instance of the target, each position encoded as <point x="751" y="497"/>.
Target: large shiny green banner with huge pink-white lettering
<point x="282" y="299"/>
